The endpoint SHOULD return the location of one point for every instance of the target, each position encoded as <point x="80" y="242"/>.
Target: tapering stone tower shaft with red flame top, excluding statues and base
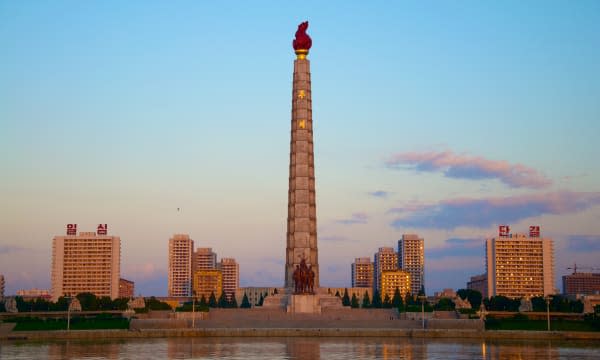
<point x="302" y="216"/>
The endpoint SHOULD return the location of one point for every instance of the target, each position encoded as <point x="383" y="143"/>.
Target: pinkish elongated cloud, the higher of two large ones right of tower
<point x="460" y="166"/>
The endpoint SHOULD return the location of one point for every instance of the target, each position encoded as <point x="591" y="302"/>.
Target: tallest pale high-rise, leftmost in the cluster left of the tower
<point x="181" y="249"/>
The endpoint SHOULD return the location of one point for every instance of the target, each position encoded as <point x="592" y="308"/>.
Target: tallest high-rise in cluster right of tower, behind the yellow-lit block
<point x="411" y="258"/>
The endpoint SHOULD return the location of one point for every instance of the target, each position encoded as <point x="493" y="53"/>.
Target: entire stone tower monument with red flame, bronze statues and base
<point x="302" y="291"/>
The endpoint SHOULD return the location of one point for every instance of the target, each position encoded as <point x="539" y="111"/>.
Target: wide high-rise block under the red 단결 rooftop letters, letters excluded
<point x="520" y="266"/>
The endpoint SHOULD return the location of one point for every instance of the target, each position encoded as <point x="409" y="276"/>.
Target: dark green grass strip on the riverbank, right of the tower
<point x="538" y="325"/>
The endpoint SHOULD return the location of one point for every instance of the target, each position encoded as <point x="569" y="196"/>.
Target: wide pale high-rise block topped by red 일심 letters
<point x="88" y="262"/>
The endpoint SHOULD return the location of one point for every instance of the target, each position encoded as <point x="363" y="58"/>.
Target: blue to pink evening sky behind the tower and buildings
<point x="441" y="118"/>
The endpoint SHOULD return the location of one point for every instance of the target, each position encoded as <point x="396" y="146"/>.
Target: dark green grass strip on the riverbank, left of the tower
<point x="77" y="323"/>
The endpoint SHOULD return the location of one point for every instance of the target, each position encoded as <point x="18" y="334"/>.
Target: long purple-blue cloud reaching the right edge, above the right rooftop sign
<point x="483" y="213"/>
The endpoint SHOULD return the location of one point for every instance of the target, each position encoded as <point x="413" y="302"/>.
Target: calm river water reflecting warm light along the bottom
<point x="248" y="348"/>
